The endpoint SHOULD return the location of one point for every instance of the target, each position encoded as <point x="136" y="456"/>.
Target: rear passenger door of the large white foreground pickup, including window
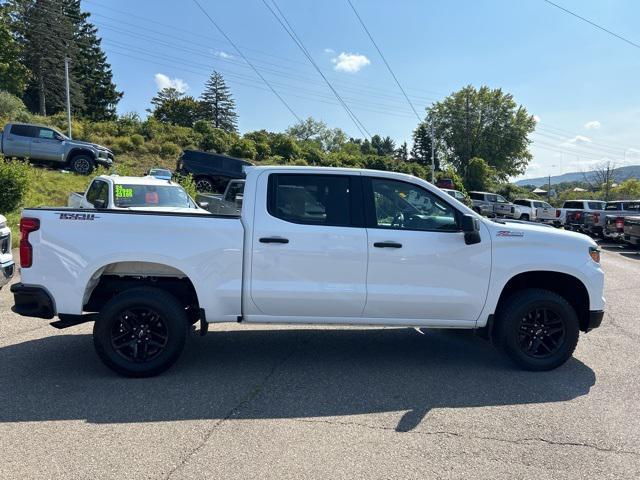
<point x="309" y="247"/>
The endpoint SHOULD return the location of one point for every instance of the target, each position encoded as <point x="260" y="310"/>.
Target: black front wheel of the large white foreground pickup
<point x="537" y="329"/>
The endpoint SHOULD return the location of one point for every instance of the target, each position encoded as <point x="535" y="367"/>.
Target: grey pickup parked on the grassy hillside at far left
<point x="46" y="145"/>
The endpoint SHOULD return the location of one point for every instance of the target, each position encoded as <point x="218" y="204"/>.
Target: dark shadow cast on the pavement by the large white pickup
<point x="285" y="373"/>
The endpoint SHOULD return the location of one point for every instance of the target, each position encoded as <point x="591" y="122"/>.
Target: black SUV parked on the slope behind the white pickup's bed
<point x="211" y="171"/>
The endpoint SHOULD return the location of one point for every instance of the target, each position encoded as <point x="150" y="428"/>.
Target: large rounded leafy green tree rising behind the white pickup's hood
<point x="483" y="123"/>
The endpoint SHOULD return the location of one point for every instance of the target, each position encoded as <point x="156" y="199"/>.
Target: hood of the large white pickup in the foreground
<point x="530" y="232"/>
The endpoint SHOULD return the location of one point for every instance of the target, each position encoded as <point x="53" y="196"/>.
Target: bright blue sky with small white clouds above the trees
<point x="581" y="83"/>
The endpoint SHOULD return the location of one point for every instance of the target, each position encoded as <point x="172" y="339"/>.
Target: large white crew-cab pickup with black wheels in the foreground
<point x="312" y="246"/>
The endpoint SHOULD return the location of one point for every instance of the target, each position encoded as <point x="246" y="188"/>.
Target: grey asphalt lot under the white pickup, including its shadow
<point x="267" y="402"/>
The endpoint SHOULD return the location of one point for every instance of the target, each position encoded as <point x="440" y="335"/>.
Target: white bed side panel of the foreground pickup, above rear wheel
<point x="72" y="248"/>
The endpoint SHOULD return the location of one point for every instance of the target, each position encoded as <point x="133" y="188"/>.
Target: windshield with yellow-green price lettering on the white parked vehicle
<point x="126" y="196"/>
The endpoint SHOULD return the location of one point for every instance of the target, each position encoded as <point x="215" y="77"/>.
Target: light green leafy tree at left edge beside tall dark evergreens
<point x="13" y="74"/>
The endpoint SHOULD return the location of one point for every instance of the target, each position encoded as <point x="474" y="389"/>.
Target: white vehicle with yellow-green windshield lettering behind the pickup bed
<point x="114" y="192"/>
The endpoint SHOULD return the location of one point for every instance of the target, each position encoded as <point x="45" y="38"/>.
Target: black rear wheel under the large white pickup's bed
<point x="140" y="332"/>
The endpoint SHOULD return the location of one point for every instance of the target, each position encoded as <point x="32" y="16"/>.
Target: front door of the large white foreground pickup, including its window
<point x="419" y="264"/>
